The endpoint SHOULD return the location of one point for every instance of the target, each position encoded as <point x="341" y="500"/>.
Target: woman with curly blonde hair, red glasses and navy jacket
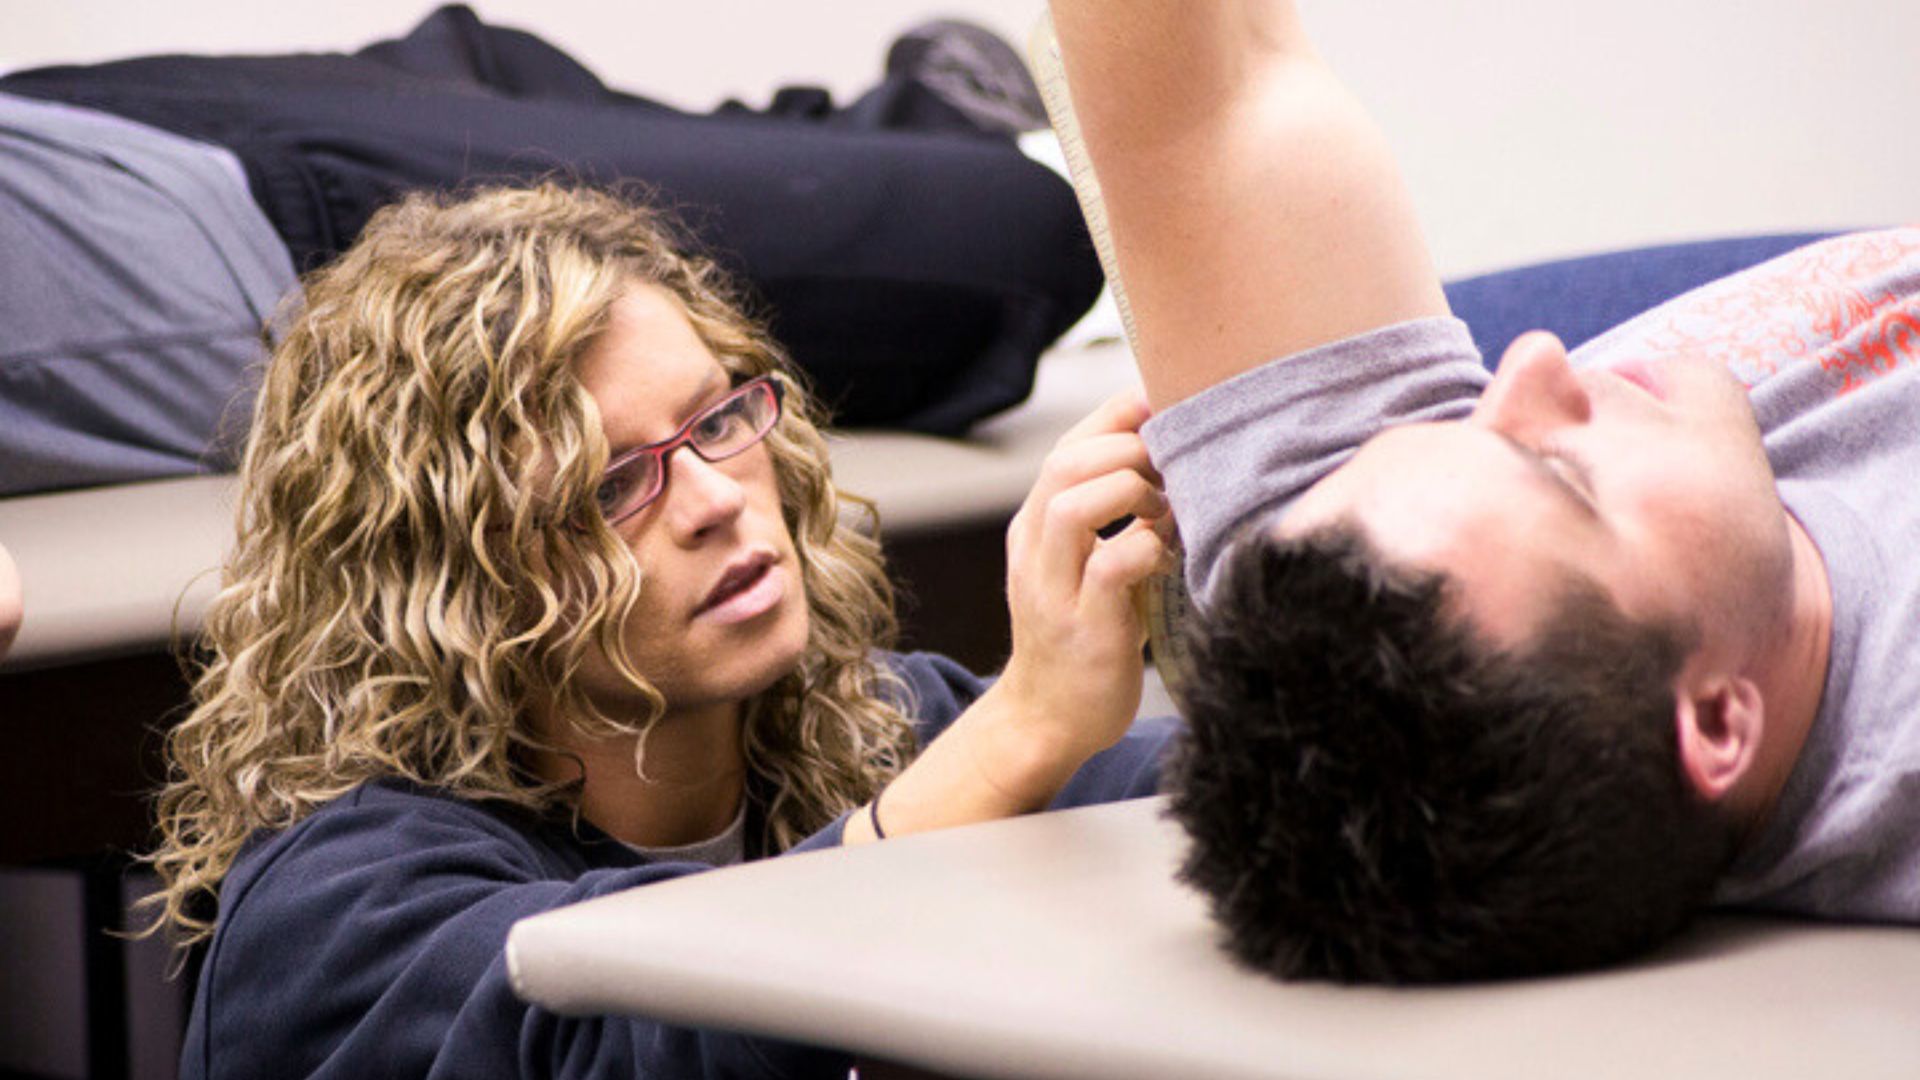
<point x="542" y="591"/>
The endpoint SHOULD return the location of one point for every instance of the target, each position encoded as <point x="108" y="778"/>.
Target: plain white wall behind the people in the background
<point x="1527" y="128"/>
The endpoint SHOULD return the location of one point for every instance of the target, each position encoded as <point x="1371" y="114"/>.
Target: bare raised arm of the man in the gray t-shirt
<point x="1255" y="207"/>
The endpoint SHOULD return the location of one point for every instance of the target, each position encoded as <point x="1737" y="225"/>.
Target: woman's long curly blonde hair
<point x="418" y="558"/>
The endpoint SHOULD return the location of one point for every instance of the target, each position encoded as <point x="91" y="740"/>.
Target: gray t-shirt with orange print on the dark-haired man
<point x="1829" y="343"/>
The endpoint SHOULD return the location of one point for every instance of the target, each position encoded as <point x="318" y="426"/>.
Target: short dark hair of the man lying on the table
<point x="1374" y="795"/>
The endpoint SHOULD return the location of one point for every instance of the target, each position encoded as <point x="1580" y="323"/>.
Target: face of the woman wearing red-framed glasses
<point x="723" y="606"/>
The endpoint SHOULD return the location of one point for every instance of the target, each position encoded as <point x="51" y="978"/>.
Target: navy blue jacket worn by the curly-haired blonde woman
<point x="368" y="941"/>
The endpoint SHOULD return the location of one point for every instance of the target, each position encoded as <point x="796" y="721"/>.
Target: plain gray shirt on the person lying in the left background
<point x="135" y="282"/>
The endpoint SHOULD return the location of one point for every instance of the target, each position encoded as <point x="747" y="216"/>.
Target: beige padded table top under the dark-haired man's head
<point x="1059" y="948"/>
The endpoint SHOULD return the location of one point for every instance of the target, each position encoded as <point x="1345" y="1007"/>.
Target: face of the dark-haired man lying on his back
<point x="1648" y="479"/>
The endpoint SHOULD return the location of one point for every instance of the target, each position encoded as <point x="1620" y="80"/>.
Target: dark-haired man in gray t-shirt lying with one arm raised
<point x="1500" y="675"/>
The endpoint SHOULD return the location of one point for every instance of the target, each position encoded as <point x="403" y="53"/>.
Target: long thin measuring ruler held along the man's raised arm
<point x="1163" y="601"/>
